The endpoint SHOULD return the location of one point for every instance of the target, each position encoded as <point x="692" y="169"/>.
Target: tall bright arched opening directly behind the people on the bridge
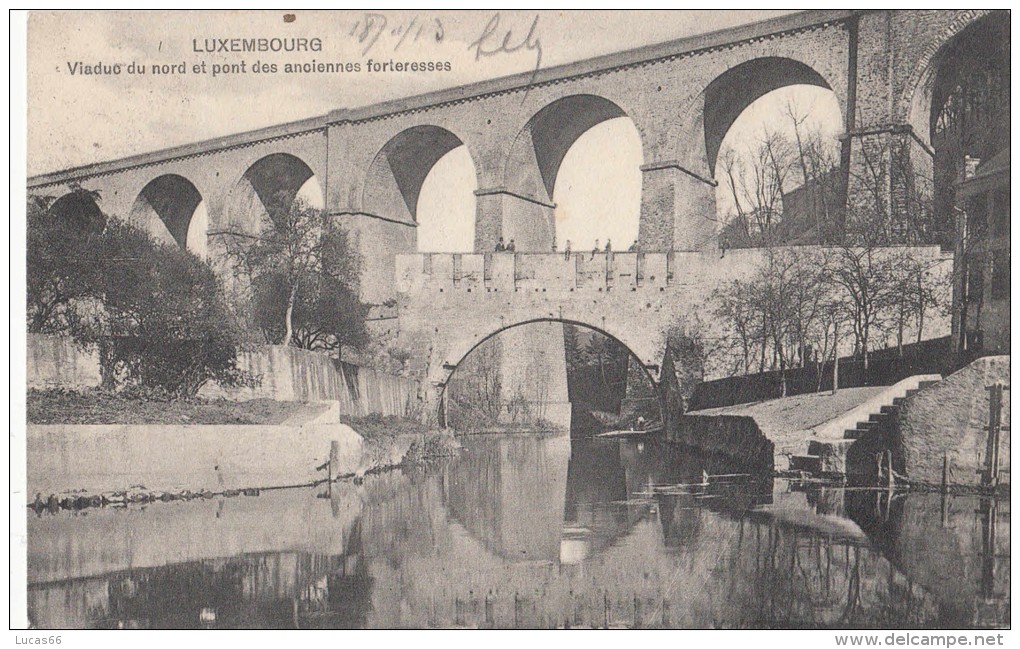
<point x="588" y="155"/>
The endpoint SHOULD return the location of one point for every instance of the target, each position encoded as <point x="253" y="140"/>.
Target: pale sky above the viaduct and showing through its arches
<point x="80" y="120"/>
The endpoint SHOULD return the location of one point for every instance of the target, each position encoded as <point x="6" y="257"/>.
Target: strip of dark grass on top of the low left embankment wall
<point x="99" y="408"/>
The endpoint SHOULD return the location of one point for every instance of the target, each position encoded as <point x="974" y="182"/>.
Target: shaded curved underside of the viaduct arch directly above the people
<point x="547" y="138"/>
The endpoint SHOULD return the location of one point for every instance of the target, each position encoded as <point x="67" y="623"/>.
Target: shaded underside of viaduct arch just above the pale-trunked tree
<point x="272" y="181"/>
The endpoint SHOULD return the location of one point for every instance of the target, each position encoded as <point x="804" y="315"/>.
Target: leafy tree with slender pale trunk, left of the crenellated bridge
<point x="303" y="272"/>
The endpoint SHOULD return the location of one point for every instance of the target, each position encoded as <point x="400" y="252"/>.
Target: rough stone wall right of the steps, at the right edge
<point x="949" y="420"/>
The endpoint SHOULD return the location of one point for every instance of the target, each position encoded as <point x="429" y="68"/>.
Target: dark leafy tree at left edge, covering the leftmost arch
<point x="63" y="257"/>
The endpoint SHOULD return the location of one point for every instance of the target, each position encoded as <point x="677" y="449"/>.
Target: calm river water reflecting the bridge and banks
<point x="532" y="532"/>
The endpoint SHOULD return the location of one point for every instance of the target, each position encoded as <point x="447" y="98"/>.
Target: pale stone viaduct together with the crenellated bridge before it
<point x="683" y="97"/>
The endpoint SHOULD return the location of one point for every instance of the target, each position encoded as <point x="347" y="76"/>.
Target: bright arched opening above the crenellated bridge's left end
<point x="426" y="176"/>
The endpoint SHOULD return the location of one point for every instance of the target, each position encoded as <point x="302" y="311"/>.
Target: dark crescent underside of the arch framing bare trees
<point x="738" y="88"/>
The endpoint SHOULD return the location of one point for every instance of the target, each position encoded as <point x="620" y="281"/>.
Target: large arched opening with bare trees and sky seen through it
<point x="773" y="130"/>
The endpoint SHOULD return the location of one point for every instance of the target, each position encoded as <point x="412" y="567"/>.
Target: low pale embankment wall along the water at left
<point x="99" y="459"/>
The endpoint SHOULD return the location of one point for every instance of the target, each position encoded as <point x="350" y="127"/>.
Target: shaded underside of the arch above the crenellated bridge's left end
<point x="396" y="175"/>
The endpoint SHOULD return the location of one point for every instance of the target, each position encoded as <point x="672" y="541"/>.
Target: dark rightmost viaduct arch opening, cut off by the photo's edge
<point x="970" y="116"/>
